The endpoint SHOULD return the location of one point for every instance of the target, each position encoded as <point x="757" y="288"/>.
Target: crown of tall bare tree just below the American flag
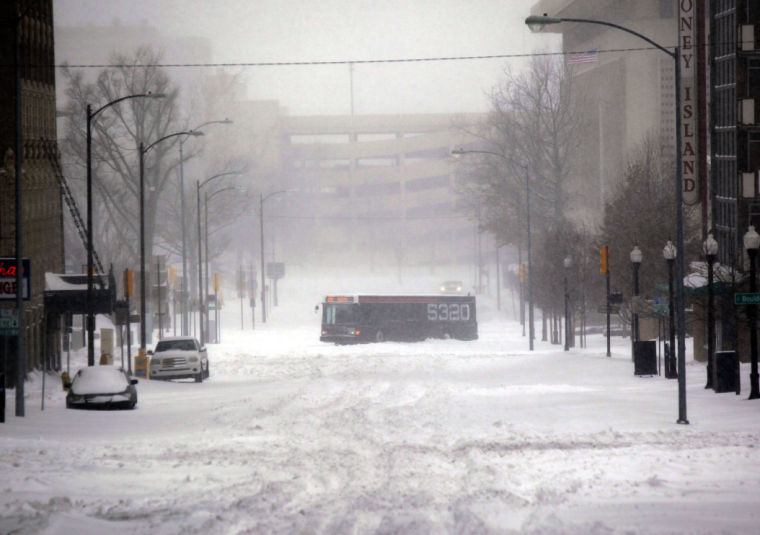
<point x="532" y="125"/>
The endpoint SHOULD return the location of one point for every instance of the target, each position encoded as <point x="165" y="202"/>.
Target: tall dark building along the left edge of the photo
<point x="41" y="217"/>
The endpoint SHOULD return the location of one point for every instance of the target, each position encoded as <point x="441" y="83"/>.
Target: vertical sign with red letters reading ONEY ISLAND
<point x="687" y="58"/>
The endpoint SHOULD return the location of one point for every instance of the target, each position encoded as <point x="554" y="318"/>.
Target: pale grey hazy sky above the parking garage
<point x="249" y="31"/>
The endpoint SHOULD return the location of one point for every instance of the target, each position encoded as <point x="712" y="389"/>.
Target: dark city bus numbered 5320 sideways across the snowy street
<point x="350" y="319"/>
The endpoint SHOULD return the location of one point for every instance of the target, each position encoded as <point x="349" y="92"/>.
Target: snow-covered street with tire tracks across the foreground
<point x="290" y="435"/>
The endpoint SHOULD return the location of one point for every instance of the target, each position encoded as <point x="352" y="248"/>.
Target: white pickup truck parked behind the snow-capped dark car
<point x="179" y="357"/>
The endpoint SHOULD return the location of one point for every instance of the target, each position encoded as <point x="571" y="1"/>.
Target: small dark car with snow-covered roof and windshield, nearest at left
<point x="101" y="387"/>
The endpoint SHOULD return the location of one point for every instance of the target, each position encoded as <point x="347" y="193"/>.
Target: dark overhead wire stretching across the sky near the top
<point x="343" y="61"/>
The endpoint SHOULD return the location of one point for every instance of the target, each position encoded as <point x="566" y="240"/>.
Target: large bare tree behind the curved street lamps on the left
<point x="116" y="137"/>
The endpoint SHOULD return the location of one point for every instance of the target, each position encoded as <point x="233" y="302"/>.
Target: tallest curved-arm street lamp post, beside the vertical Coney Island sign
<point x="537" y="23"/>
